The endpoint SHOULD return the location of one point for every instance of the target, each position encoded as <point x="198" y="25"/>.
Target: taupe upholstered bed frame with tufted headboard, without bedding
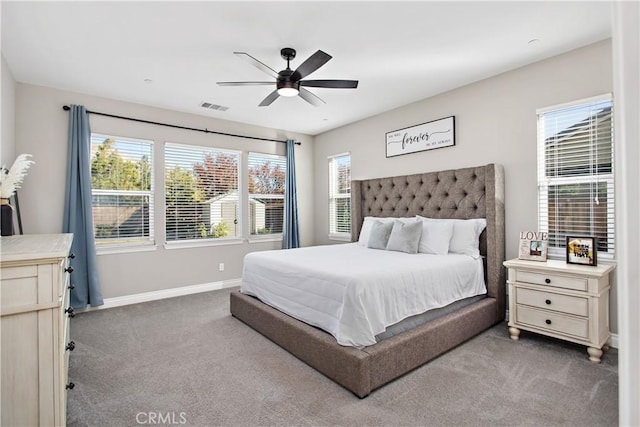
<point x="467" y="193"/>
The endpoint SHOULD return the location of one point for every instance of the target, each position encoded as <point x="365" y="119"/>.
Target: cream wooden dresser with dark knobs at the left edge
<point x="35" y="312"/>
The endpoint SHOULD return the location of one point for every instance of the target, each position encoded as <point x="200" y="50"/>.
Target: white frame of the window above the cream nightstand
<point x="544" y="182"/>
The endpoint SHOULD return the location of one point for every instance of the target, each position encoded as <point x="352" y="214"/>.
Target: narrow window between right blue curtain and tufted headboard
<point x="340" y="196"/>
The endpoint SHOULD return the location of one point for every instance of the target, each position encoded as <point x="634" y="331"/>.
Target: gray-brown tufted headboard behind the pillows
<point x="475" y="192"/>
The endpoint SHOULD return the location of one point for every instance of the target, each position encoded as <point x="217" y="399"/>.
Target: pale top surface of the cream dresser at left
<point x="28" y="247"/>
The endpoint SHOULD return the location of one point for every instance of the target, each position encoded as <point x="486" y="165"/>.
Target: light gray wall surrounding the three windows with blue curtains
<point x="41" y="130"/>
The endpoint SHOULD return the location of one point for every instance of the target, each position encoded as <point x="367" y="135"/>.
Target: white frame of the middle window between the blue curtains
<point x="210" y="241"/>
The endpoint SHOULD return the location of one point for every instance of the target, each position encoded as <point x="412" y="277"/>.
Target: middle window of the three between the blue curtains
<point x="201" y="193"/>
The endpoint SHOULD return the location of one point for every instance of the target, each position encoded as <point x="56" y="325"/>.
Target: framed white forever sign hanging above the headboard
<point x="426" y="136"/>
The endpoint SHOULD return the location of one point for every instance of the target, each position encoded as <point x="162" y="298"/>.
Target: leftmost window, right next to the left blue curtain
<point x="121" y="190"/>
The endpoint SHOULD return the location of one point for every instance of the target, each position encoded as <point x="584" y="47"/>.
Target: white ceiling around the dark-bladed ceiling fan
<point x="400" y="52"/>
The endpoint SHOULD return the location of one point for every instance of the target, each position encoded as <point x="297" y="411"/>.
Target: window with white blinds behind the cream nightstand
<point x="575" y="173"/>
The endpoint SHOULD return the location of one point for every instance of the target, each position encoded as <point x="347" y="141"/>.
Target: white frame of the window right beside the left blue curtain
<point x="107" y="246"/>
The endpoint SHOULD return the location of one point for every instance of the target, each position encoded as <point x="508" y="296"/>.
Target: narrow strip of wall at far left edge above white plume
<point x="8" y="95"/>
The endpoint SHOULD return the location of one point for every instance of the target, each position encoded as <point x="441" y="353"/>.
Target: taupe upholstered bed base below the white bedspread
<point x="365" y="370"/>
